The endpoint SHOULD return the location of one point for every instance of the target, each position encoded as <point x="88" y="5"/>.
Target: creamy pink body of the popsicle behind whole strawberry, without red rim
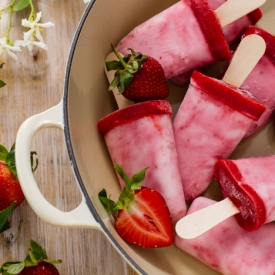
<point x="173" y="37"/>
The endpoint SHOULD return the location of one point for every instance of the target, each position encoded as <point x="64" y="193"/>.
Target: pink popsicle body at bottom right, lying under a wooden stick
<point x="231" y="250"/>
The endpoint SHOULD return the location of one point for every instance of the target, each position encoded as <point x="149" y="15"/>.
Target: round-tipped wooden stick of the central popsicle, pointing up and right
<point x="247" y="55"/>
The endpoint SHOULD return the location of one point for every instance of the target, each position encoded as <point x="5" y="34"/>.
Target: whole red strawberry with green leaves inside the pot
<point x="138" y="77"/>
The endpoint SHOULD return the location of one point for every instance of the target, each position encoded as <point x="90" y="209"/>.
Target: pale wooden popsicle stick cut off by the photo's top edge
<point x="232" y="10"/>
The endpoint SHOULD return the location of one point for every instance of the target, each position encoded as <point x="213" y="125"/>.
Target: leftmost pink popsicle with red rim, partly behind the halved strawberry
<point x="140" y="136"/>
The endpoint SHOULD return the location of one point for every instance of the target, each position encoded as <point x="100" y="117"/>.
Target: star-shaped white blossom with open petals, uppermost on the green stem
<point x="35" y="28"/>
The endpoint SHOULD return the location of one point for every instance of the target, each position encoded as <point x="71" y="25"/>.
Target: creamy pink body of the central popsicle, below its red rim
<point x="206" y="130"/>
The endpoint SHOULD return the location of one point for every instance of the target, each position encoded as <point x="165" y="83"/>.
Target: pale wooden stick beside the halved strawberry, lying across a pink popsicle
<point x="199" y="222"/>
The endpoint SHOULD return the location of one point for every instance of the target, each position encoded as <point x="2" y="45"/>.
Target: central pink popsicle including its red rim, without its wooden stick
<point x="211" y="121"/>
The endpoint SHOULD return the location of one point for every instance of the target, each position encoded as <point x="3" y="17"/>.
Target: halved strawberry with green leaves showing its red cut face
<point x="141" y="215"/>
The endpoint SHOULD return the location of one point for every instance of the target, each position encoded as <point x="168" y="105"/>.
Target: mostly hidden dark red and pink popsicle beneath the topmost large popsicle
<point x="231" y="33"/>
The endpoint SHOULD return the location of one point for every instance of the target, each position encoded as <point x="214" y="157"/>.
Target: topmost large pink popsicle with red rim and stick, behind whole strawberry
<point x="186" y="36"/>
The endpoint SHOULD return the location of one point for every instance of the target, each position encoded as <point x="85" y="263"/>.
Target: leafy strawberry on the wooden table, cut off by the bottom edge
<point x="36" y="263"/>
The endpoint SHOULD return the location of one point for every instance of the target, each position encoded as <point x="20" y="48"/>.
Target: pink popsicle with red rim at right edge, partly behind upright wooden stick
<point x="261" y="82"/>
